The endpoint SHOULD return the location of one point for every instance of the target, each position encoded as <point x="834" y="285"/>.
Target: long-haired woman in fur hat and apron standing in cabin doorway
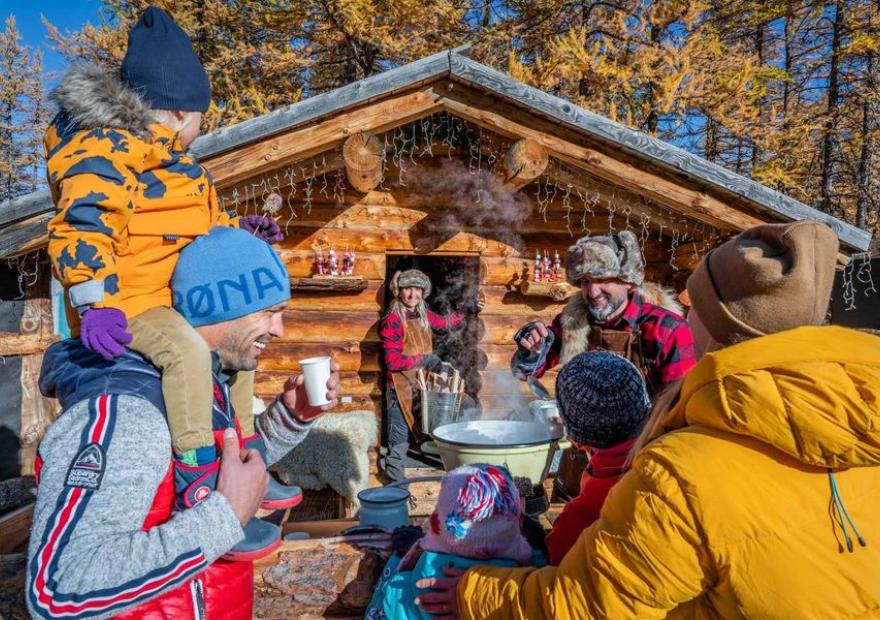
<point x="408" y="345"/>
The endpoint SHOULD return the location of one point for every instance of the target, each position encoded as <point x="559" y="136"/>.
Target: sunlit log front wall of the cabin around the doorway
<point x="405" y="220"/>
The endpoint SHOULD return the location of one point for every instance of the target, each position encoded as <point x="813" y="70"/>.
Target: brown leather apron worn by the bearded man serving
<point x="628" y="344"/>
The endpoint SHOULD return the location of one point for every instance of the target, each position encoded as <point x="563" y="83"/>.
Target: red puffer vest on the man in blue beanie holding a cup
<point x="224" y="591"/>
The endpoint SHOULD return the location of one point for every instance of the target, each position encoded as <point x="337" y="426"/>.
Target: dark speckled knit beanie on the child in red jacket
<point x="602" y="399"/>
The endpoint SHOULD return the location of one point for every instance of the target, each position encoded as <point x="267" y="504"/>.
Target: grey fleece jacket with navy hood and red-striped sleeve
<point x="103" y="462"/>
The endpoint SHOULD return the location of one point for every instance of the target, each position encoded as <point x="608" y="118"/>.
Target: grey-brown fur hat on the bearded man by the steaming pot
<point x="606" y="256"/>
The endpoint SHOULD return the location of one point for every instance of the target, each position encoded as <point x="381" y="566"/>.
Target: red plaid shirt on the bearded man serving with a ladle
<point x="667" y="342"/>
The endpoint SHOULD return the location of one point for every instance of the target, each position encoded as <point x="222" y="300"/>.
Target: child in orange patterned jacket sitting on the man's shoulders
<point x="129" y="199"/>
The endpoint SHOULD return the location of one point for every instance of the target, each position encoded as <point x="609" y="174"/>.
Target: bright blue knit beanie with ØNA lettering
<point x="226" y="274"/>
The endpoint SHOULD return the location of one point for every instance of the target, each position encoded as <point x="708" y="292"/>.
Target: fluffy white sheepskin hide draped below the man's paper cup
<point x="333" y="454"/>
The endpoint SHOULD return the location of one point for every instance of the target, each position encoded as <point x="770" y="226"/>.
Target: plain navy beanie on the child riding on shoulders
<point x="162" y="68"/>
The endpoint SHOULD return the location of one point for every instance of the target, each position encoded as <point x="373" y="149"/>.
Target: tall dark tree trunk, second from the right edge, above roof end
<point x="830" y="203"/>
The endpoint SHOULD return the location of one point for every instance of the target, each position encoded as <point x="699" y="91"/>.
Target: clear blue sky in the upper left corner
<point x="65" y="14"/>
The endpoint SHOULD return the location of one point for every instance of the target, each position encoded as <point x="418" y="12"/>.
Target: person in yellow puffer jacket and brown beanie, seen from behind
<point x="755" y="491"/>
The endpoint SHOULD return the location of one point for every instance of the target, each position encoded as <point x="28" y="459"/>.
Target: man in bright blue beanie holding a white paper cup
<point x="106" y="539"/>
